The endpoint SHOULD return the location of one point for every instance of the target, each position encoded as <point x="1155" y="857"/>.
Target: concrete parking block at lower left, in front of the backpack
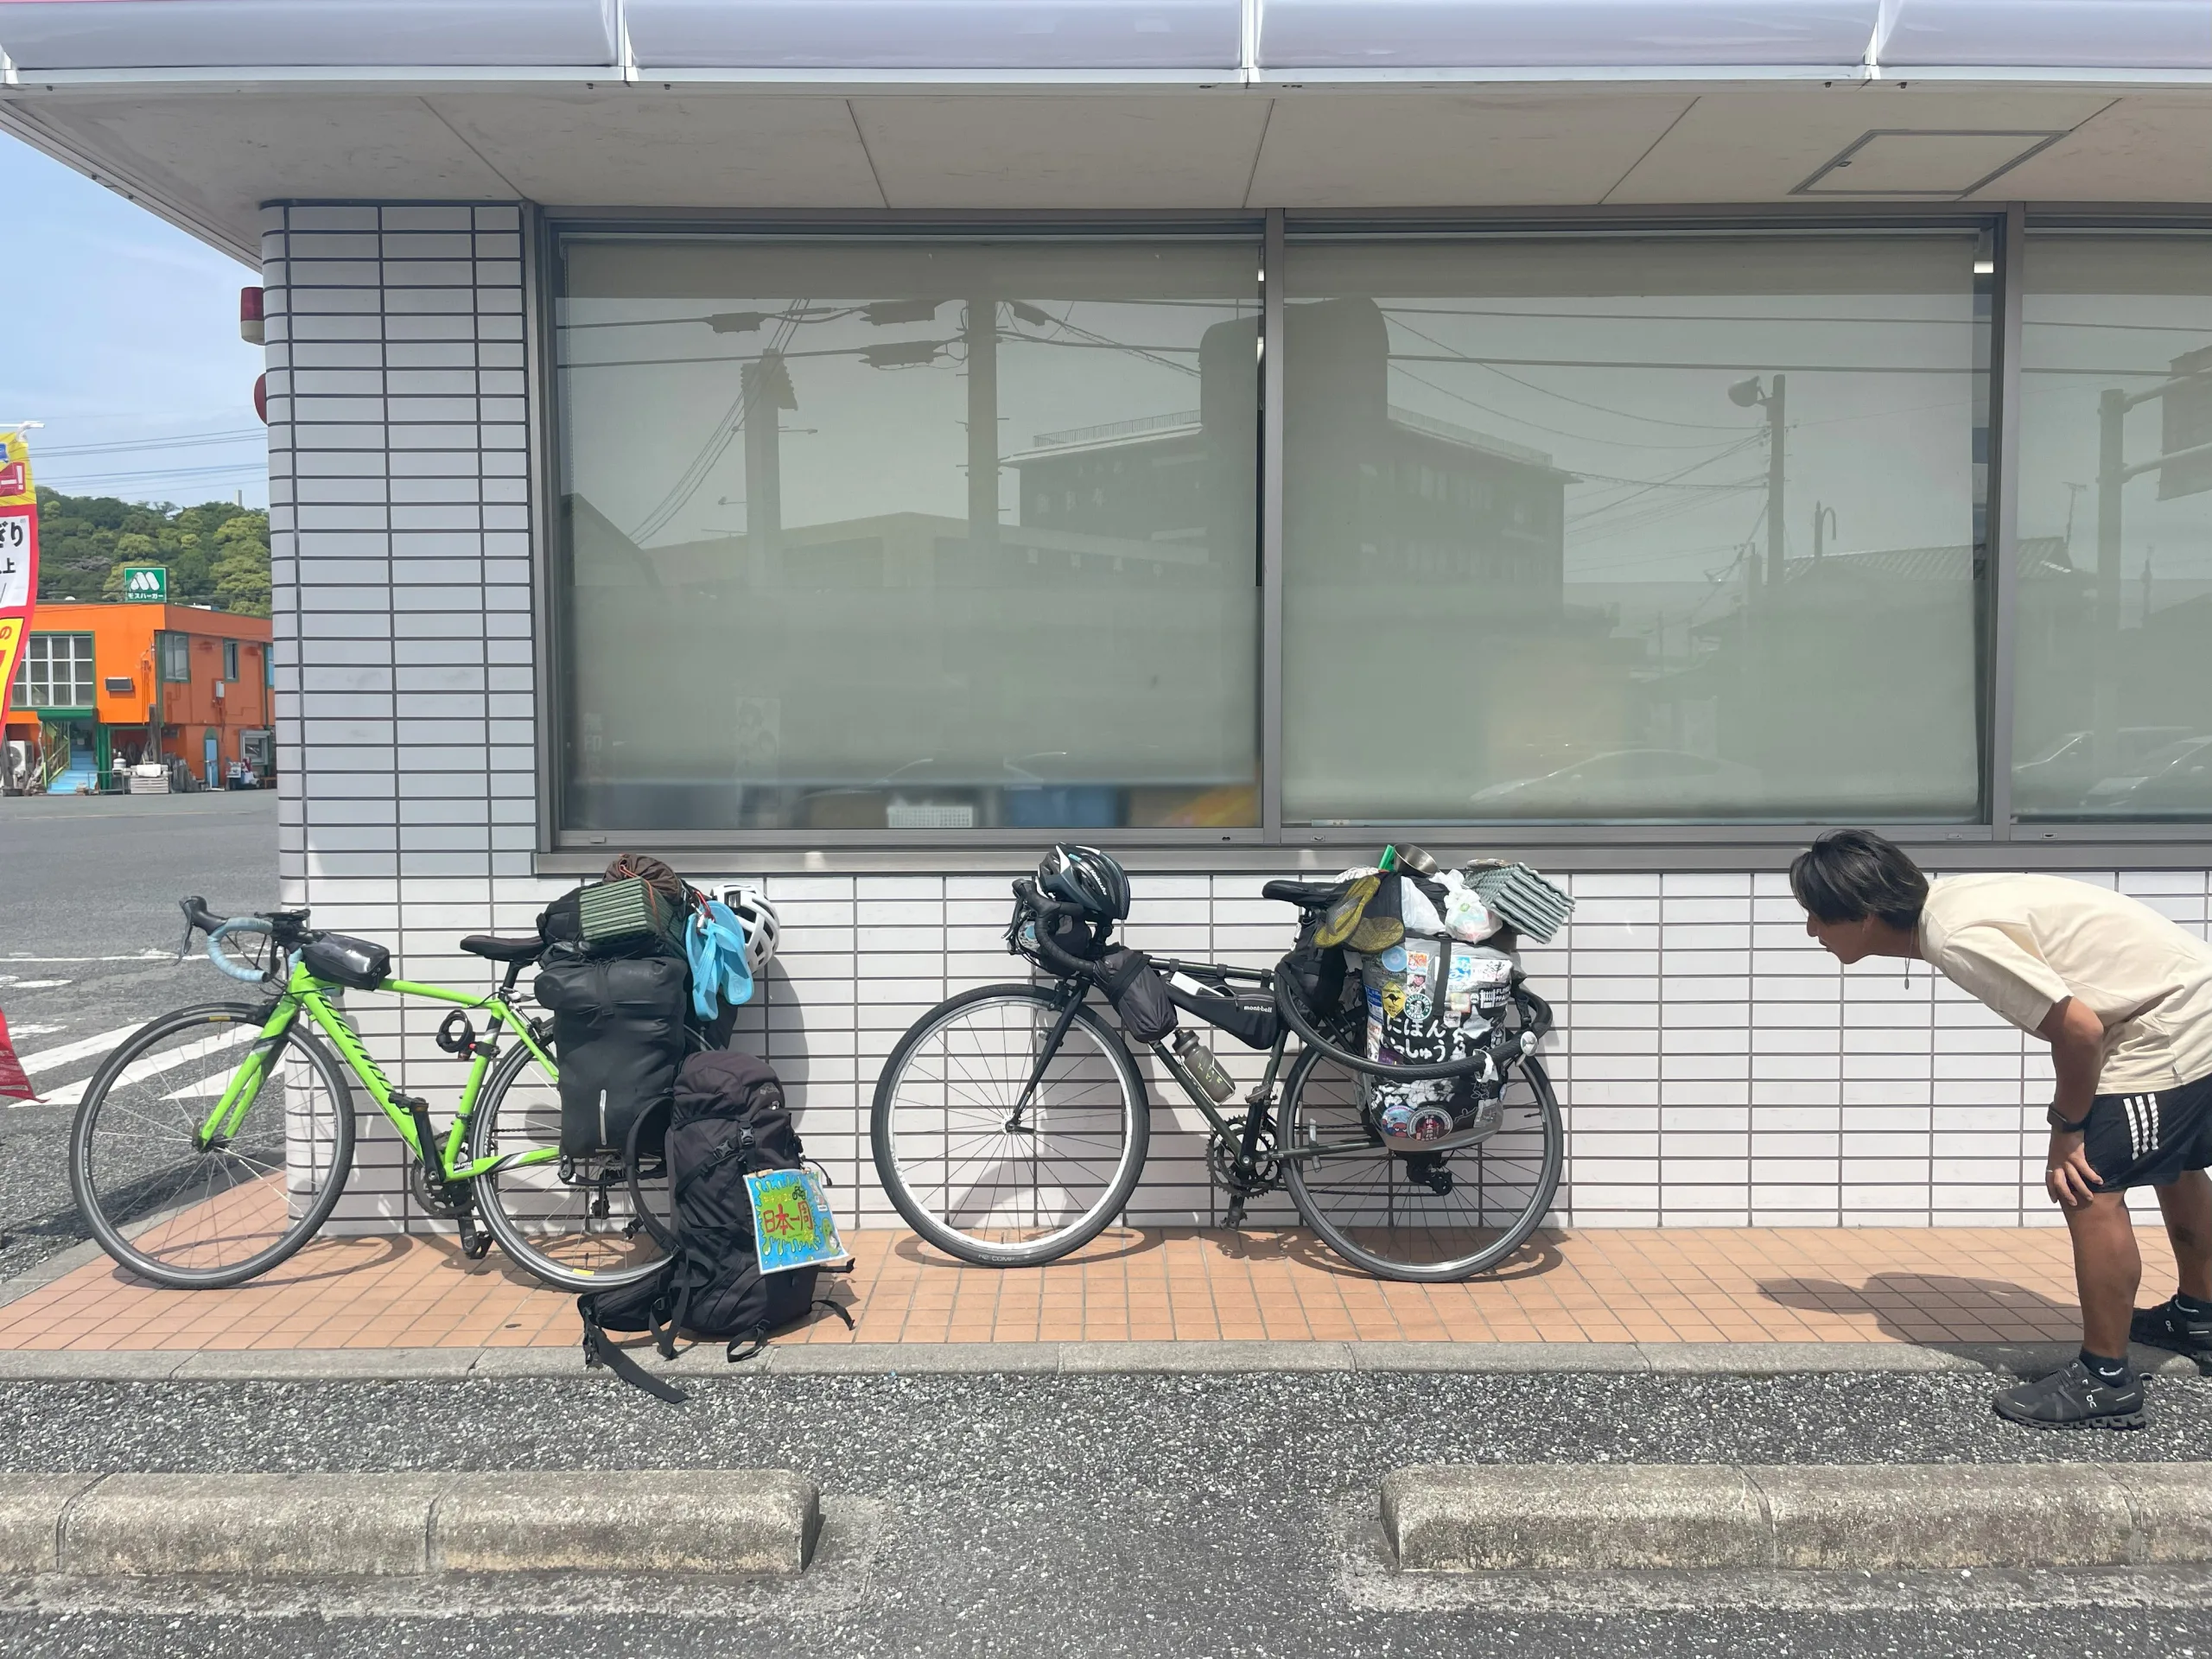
<point x="388" y="1525"/>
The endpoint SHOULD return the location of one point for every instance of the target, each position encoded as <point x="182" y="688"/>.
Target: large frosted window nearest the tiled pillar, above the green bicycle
<point x="908" y="534"/>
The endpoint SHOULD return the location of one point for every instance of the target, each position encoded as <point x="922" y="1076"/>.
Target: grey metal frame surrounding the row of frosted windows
<point x="1983" y="842"/>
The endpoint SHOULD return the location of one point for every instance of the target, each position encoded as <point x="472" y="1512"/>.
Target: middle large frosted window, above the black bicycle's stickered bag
<point x="1634" y="528"/>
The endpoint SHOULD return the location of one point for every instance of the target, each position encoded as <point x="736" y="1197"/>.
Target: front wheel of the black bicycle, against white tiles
<point x="983" y="1180"/>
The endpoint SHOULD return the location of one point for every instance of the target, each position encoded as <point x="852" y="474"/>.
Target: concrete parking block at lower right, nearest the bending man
<point x="1797" y="1516"/>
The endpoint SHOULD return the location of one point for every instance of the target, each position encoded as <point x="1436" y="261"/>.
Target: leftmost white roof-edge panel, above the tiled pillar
<point x="253" y="34"/>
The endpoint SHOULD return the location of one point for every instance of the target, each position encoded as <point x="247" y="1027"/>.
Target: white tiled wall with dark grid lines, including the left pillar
<point x="1715" y="1067"/>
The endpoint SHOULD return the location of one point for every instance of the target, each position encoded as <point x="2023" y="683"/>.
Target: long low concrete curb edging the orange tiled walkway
<point x="1065" y="1359"/>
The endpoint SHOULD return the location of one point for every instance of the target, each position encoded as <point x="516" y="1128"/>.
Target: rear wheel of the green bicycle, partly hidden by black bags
<point x="570" y="1220"/>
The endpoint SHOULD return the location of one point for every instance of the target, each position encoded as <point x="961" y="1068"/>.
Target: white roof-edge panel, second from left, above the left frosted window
<point x="935" y="34"/>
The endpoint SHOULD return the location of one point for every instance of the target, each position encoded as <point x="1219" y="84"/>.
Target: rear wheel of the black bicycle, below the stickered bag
<point x="1419" y="1215"/>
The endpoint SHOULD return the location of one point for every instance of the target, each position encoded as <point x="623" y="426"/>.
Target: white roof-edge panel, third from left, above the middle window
<point x="1563" y="34"/>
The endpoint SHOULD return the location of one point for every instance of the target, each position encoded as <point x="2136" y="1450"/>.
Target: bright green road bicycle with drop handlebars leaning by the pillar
<point x="218" y="1140"/>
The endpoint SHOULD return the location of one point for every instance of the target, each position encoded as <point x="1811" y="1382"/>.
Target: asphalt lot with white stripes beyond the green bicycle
<point x="87" y="935"/>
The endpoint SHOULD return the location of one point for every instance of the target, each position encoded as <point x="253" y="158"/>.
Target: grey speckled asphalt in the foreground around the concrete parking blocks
<point x="1191" y="1516"/>
